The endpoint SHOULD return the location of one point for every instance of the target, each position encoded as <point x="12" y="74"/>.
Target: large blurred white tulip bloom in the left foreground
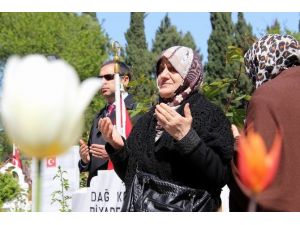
<point x="43" y="104"/>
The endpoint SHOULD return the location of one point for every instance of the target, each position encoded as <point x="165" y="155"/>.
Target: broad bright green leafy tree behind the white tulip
<point x="78" y="39"/>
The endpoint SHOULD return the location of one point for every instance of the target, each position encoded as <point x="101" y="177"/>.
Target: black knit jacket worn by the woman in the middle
<point x="200" y="160"/>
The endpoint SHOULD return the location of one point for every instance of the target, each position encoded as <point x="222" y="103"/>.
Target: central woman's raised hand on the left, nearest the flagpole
<point x="110" y="133"/>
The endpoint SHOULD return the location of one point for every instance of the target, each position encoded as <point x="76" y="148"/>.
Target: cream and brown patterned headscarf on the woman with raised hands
<point x="187" y="63"/>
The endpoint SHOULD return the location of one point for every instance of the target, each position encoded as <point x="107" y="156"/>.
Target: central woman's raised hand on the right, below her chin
<point x="175" y="124"/>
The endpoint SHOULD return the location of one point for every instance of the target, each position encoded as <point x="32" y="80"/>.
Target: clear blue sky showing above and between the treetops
<point x="116" y="24"/>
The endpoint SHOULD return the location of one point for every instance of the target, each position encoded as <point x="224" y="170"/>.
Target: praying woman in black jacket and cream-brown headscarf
<point x="185" y="139"/>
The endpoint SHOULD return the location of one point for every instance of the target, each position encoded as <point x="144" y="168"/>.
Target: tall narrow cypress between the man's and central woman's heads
<point x="139" y="57"/>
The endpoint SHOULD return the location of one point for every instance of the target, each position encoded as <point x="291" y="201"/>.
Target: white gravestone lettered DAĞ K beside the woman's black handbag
<point x="105" y="194"/>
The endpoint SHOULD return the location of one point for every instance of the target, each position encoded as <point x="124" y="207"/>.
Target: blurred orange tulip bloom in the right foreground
<point x="256" y="165"/>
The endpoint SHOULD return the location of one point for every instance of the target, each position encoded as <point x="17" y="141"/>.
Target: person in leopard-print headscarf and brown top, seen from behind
<point x="273" y="64"/>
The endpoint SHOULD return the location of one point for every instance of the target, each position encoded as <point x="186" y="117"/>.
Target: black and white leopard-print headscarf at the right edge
<point x="270" y="55"/>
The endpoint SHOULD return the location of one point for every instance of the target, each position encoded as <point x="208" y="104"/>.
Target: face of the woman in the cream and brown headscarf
<point x="168" y="80"/>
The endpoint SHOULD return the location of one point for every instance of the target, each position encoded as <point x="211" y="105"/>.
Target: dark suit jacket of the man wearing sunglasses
<point x="96" y="138"/>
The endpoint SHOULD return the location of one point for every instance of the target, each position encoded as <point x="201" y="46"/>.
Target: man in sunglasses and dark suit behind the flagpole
<point x="93" y="154"/>
